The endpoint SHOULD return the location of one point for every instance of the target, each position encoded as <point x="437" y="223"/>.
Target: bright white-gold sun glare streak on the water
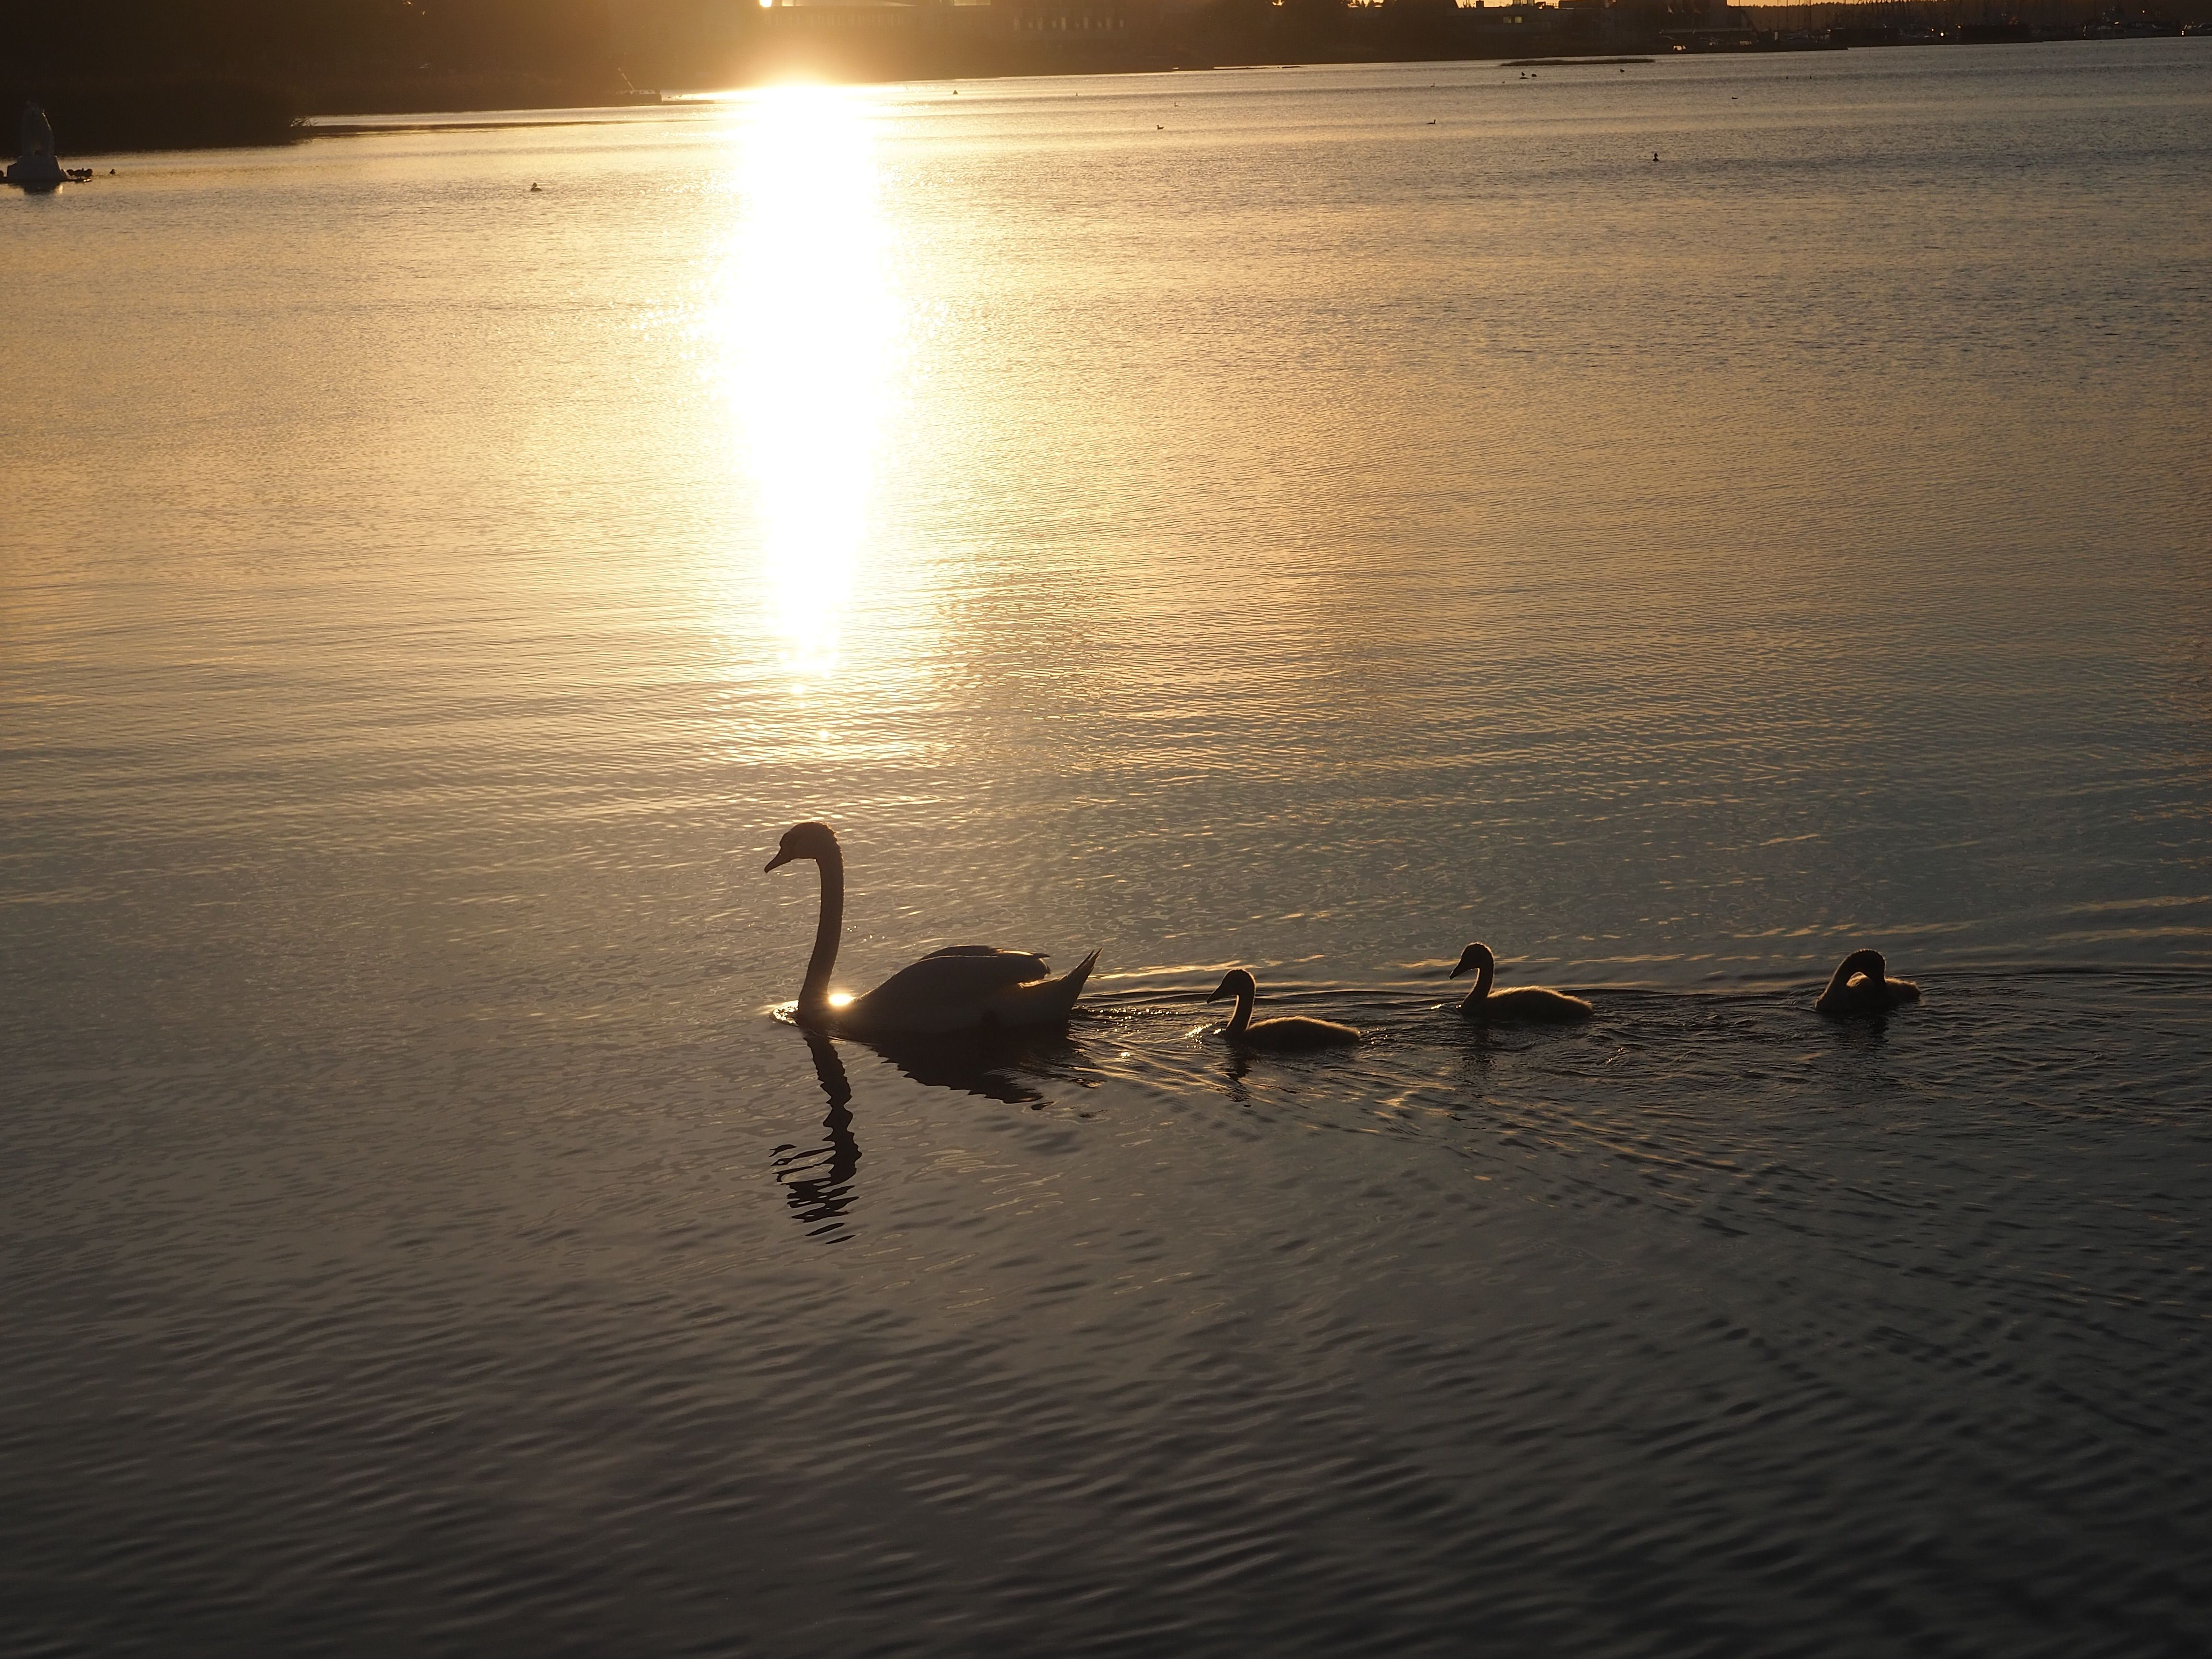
<point x="811" y="326"/>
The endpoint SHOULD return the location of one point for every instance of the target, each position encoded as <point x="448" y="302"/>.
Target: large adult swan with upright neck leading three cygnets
<point x="963" y="988"/>
